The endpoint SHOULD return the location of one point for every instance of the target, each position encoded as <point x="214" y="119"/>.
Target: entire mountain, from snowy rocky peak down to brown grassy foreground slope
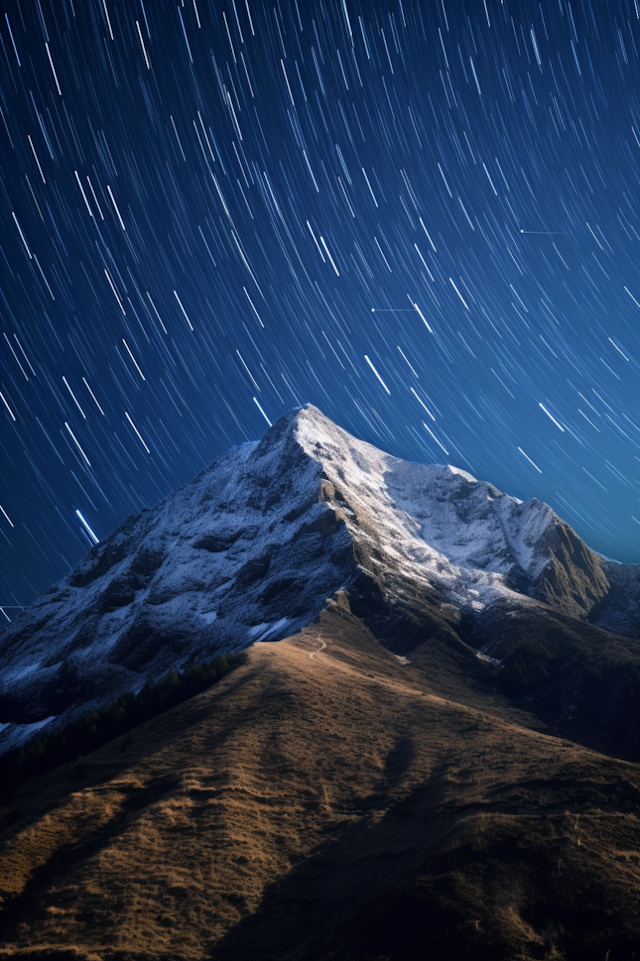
<point x="436" y="759"/>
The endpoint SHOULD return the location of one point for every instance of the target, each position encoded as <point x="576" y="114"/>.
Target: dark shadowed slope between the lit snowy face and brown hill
<point x="579" y="679"/>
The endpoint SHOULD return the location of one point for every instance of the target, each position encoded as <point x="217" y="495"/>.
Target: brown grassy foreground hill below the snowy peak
<point x="326" y="800"/>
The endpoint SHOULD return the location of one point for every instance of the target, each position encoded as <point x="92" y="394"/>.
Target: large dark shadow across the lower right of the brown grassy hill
<point x="424" y="882"/>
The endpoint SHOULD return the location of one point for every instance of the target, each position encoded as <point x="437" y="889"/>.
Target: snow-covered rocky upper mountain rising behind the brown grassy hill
<point x="252" y="549"/>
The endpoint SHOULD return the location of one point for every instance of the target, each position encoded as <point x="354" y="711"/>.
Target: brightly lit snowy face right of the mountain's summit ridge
<point x="440" y="525"/>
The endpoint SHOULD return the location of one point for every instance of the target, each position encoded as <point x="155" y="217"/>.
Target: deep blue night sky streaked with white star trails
<point x="420" y="215"/>
